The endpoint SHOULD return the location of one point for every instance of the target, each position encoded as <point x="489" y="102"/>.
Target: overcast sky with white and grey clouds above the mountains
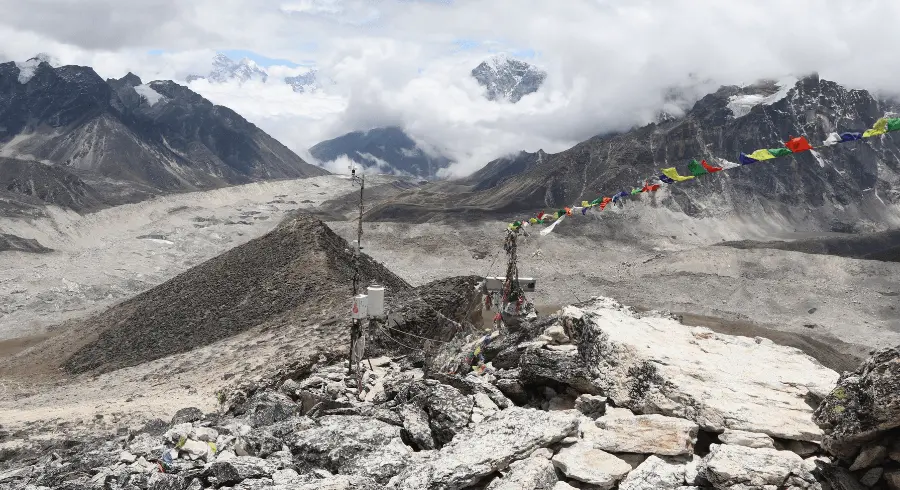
<point x="406" y="62"/>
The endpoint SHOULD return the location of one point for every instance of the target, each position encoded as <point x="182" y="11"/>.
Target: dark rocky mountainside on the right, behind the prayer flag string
<point x="848" y="187"/>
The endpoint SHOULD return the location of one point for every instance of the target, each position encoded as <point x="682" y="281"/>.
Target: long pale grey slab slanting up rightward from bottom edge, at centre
<point x="475" y="453"/>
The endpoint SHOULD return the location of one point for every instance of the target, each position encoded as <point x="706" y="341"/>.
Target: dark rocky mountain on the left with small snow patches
<point x="159" y="136"/>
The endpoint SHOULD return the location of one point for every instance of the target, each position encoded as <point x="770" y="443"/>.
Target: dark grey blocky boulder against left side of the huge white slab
<point x="541" y="366"/>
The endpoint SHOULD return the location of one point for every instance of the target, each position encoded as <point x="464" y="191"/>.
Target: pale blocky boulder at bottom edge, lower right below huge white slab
<point x="741" y="467"/>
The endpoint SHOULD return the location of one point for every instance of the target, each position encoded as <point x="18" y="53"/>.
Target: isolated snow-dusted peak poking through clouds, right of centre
<point x="507" y="78"/>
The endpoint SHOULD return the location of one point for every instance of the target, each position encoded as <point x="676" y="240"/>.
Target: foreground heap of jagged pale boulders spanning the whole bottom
<point x="594" y="397"/>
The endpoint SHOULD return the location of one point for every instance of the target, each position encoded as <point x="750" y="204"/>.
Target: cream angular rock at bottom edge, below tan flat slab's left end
<point x="593" y="466"/>
